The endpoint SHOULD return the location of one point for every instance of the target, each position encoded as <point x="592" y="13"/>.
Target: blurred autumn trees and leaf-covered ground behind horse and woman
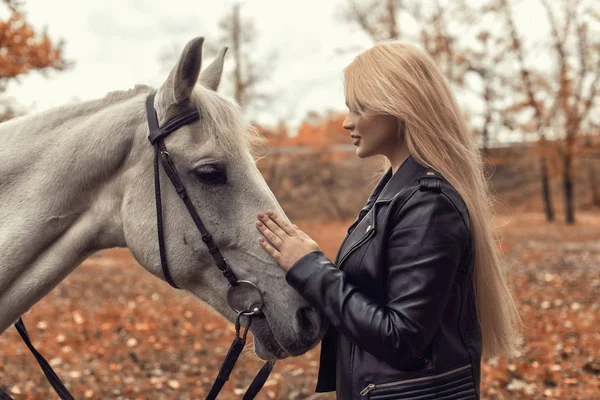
<point x="532" y="103"/>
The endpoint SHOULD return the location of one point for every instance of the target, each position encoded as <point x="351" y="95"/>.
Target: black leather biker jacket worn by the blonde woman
<point x="399" y="297"/>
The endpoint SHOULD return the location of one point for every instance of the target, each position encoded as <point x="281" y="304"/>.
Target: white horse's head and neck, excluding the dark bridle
<point x="79" y="178"/>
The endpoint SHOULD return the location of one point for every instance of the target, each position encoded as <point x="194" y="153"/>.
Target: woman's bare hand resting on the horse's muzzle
<point x="286" y="243"/>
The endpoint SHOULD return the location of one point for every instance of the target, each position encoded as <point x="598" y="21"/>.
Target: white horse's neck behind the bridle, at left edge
<point x="59" y="196"/>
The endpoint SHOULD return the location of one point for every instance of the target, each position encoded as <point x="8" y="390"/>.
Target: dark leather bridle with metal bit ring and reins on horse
<point x="156" y="138"/>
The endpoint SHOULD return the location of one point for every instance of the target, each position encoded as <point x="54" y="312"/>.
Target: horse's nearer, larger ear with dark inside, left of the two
<point x="184" y="75"/>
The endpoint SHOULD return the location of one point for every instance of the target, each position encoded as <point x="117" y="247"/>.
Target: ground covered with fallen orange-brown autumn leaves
<point x="111" y="330"/>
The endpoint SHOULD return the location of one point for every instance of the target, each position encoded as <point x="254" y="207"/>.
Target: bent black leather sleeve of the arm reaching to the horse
<point x="422" y="256"/>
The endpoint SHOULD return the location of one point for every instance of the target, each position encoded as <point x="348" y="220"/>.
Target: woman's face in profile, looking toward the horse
<point x="374" y="134"/>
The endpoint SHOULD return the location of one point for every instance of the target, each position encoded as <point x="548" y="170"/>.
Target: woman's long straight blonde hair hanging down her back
<point x="399" y="79"/>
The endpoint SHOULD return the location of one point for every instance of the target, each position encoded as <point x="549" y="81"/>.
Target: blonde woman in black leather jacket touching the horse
<point x="417" y="294"/>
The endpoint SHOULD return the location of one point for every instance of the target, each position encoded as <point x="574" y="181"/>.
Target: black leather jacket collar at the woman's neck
<point x="389" y="185"/>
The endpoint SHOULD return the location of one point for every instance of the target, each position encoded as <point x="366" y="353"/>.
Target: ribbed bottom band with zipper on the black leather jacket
<point x="456" y="384"/>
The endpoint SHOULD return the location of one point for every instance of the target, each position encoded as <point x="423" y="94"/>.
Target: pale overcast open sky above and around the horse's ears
<point x="116" y="44"/>
